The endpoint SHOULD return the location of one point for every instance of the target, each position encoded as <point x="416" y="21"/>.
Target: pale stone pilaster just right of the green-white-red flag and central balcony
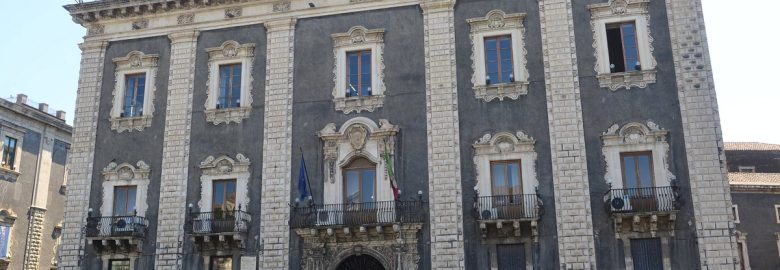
<point x="444" y="183"/>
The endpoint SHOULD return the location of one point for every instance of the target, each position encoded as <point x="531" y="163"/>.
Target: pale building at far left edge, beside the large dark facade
<point x="33" y="151"/>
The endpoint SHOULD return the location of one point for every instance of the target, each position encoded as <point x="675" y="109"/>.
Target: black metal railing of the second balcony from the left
<point x="235" y="221"/>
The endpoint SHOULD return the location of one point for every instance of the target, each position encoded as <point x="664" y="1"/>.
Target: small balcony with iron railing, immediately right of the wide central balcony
<point x="521" y="212"/>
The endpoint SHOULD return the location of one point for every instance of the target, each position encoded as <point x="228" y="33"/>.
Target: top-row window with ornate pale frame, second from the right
<point x="499" y="56"/>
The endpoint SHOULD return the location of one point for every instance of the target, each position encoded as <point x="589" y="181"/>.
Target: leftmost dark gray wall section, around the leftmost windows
<point x="133" y="146"/>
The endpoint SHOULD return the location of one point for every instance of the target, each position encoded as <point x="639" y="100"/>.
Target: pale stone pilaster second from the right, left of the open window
<point x="567" y="137"/>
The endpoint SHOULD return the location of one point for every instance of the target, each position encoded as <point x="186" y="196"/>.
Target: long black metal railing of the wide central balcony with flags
<point x="358" y="214"/>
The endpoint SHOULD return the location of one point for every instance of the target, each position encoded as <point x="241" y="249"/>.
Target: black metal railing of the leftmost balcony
<point x="116" y="226"/>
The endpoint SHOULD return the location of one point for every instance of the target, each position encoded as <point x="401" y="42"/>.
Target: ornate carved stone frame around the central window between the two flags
<point x="358" y="137"/>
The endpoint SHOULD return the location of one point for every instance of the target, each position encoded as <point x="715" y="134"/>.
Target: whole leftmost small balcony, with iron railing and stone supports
<point x="116" y="234"/>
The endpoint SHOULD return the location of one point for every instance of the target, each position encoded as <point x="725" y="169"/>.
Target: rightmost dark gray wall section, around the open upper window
<point x="603" y="108"/>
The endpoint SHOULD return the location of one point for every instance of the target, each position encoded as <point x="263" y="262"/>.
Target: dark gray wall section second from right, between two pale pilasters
<point x="528" y="113"/>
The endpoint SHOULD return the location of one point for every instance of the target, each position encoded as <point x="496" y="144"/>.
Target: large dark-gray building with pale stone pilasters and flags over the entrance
<point x="437" y="134"/>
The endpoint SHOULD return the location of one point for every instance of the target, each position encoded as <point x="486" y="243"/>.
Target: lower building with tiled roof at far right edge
<point x="754" y="174"/>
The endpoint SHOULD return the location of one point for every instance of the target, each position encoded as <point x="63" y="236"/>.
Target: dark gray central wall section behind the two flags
<point x="313" y="107"/>
